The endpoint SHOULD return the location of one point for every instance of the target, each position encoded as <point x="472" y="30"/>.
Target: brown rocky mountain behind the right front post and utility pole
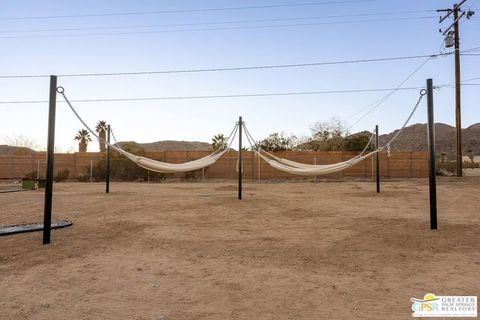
<point x="414" y="138"/>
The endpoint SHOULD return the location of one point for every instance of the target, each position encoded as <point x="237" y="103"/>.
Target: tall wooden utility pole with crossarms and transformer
<point x="452" y="38"/>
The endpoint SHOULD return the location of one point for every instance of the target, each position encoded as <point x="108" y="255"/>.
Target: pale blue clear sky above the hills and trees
<point x="111" y="37"/>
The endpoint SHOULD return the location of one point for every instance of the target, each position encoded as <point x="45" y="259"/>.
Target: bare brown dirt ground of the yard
<point x="325" y="250"/>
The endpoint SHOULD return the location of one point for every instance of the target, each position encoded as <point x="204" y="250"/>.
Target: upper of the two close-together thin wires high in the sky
<point x="224" y="22"/>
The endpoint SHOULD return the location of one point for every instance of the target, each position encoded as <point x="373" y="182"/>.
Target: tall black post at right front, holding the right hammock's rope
<point x="431" y="156"/>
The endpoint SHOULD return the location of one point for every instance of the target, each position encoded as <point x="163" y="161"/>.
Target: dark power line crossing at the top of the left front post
<point x="278" y="66"/>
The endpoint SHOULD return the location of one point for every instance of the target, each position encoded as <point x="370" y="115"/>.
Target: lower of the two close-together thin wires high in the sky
<point x="213" y="29"/>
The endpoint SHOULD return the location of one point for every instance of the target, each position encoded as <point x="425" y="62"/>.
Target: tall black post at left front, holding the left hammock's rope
<point x="47" y="212"/>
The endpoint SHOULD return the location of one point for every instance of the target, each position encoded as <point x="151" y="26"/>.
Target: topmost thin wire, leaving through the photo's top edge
<point x="305" y="4"/>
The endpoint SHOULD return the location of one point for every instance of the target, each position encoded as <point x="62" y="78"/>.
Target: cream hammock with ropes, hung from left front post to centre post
<point x="155" y="165"/>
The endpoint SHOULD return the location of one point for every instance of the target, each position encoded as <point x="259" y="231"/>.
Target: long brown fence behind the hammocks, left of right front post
<point x="397" y="165"/>
